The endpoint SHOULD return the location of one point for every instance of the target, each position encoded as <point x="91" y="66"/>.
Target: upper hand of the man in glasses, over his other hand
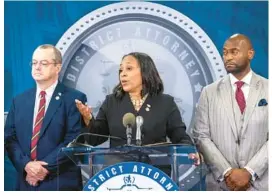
<point x="35" y="169"/>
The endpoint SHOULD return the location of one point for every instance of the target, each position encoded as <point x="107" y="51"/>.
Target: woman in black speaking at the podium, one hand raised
<point x="139" y="92"/>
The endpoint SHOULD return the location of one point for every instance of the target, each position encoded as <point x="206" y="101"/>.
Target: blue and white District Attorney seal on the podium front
<point x="131" y="176"/>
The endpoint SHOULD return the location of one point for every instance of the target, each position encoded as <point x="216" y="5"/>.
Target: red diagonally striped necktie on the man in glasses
<point x="37" y="126"/>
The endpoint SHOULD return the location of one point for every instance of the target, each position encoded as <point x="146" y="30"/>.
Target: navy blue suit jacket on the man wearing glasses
<point x="61" y="124"/>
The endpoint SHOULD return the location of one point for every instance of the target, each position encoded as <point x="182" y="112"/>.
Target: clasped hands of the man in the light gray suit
<point x="238" y="179"/>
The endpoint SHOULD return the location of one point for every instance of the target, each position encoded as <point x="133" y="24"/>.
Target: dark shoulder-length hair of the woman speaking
<point x="151" y="80"/>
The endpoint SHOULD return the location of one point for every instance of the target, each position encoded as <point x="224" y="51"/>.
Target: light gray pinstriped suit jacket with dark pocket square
<point x="226" y="138"/>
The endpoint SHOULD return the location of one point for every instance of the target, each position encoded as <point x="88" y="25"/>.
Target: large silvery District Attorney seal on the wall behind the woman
<point x="184" y="55"/>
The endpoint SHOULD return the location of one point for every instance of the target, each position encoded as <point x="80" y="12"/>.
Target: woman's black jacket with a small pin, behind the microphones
<point x="163" y="119"/>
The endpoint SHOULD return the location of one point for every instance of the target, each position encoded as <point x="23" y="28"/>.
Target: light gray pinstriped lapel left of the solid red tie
<point x="226" y="97"/>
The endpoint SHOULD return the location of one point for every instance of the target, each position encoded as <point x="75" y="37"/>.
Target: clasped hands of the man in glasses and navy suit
<point x="35" y="172"/>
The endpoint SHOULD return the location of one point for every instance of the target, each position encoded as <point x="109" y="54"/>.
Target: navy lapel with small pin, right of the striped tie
<point x="53" y="106"/>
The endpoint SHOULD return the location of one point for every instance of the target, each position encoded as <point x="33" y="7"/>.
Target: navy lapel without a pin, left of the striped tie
<point x="29" y="106"/>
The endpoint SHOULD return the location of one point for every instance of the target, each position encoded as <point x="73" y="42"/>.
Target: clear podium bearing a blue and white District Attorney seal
<point x="162" y="163"/>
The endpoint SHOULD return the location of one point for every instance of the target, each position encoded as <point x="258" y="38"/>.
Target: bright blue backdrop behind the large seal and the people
<point x="29" y="24"/>
